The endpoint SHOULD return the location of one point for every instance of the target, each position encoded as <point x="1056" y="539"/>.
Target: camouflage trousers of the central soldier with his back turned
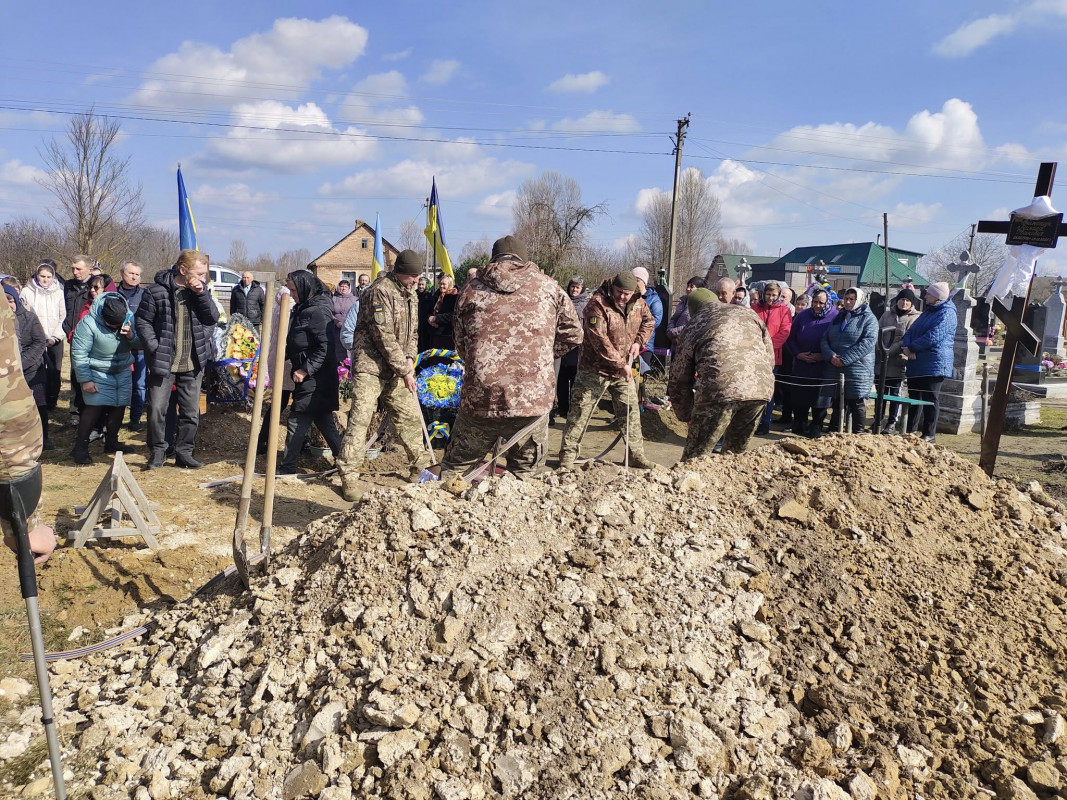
<point x="472" y="439"/>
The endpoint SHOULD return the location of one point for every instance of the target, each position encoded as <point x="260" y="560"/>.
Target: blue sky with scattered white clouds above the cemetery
<point x="293" y="120"/>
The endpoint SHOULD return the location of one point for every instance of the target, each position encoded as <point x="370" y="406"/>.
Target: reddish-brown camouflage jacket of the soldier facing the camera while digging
<point x="611" y="332"/>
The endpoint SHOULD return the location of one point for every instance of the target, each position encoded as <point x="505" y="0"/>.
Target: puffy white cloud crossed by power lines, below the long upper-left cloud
<point x="308" y="142"/>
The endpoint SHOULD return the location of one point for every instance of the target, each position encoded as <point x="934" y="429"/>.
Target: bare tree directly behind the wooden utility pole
<point x="699" y="228"/>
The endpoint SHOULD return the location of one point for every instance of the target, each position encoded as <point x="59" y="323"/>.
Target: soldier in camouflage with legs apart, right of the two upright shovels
<point x="384" y="366"/>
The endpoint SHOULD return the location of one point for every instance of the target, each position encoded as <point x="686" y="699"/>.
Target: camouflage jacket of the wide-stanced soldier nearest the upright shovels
<point x="387" y="330"/>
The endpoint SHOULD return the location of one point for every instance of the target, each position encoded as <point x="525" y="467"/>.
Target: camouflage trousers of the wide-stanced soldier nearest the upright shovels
<point x="400" y="404"/>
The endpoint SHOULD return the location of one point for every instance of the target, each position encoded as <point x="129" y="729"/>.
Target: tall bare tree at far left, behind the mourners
<point x="99" y="206"/>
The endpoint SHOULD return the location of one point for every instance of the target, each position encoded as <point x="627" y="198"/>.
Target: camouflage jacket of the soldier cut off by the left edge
<point x="21" y="435"/>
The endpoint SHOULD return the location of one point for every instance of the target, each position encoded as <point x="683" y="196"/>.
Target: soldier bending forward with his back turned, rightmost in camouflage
<point x="727" y="356"/>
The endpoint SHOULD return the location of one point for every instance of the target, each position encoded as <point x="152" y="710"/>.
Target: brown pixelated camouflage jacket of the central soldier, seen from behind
<point x="511" y="324"/>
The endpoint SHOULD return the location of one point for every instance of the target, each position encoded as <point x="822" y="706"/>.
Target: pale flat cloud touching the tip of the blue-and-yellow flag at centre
<point x="461" y="168"/>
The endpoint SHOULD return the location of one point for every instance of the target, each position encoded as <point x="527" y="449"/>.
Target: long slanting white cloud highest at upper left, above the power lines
<point x="291" y="55"/>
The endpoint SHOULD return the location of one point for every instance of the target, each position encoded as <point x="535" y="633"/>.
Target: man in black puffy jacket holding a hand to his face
<point x="174" y="323"/>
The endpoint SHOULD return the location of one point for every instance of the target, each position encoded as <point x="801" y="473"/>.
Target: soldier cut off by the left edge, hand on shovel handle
<point x="22" y="438"/>
